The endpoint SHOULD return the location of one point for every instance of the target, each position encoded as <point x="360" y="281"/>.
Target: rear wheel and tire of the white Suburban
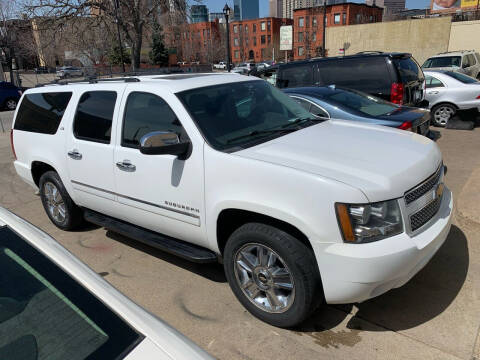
<point x="58" y="205"/>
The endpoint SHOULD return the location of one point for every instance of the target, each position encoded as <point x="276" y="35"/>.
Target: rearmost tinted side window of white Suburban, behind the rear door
<point x="42" y="113"/>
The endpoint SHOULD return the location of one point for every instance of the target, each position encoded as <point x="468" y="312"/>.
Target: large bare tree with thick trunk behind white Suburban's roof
<point x="133" y="16"/>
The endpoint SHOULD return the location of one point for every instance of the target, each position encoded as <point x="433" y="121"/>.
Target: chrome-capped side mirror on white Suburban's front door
<point x="164" y="143"/>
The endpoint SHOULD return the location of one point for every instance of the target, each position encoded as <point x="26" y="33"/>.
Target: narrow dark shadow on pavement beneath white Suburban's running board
<point x="213" y="272"/>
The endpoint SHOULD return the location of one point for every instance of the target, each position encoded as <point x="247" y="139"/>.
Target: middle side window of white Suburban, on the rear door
<point x="93" y="120"/>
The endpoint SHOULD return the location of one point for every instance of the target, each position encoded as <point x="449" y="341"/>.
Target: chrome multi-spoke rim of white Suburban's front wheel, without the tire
<point x="264" y="278"/>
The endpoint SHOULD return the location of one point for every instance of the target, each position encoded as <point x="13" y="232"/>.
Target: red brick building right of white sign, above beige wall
<point x="308" y="29"/>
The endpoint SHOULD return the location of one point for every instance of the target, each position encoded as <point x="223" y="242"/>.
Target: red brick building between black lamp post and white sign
<point x="257" y="39"/>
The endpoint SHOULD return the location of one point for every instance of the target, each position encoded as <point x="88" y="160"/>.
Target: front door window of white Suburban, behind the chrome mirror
<point x="145" y="113"/>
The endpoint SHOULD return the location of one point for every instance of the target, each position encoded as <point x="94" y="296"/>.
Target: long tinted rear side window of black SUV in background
<point x="369" y="75"/>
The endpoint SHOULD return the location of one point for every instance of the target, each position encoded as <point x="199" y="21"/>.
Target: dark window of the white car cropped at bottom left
<point x="45" y="314"/>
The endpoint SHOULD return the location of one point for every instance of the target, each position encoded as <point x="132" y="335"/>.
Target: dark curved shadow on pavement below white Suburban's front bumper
<point x="423" y="298"/>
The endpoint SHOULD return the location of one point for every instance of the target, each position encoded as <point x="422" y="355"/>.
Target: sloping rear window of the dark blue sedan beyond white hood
<point x="358" y="102"/>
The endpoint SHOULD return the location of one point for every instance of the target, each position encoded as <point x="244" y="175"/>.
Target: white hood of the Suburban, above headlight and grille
<point x="383" y="163"/>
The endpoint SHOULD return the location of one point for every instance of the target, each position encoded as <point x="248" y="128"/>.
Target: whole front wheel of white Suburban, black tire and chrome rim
<point x="273" y="275"/>
